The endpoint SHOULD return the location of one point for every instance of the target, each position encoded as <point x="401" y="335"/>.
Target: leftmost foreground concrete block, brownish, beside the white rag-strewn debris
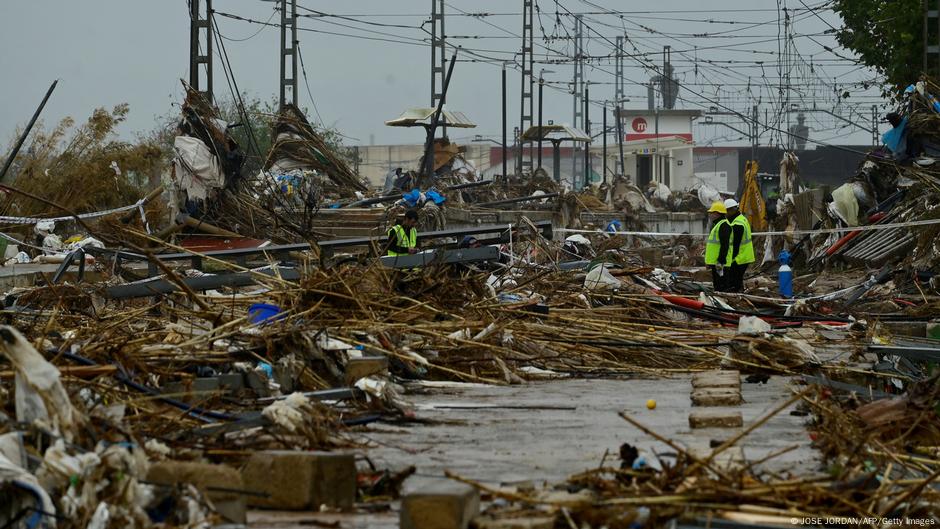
<point x="219" y="482"/>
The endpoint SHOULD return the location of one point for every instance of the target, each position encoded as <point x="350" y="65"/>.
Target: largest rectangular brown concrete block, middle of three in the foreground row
<point x="301" y="480"/>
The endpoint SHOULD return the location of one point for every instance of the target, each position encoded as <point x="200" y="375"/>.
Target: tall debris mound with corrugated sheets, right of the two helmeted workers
<point x="896" y="184"/>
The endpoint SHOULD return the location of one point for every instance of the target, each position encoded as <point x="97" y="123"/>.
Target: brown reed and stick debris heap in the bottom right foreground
<point x="868" y="474"/>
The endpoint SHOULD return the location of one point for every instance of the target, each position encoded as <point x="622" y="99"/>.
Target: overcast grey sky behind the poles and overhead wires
<point x="107" y="52"/>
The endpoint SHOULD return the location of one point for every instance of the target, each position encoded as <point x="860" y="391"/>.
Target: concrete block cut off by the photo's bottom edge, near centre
<point x="448" y="505"/>
